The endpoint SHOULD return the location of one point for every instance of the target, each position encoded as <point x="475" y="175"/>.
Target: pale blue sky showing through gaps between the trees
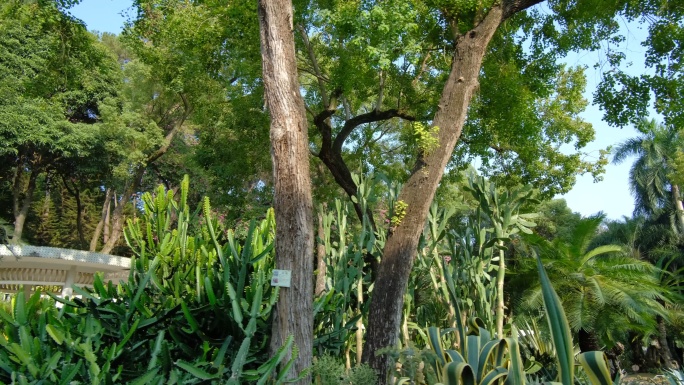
<point x="611" y="195"/>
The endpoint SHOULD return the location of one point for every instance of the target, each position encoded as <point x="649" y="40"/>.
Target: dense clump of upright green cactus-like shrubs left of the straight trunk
<point x="195" y="309"/>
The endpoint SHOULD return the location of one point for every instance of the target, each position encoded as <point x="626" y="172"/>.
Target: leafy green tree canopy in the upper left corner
<point x="54" y="75"/>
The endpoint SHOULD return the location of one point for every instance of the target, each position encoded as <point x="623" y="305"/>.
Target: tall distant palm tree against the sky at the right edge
<point x="650" y="181"/>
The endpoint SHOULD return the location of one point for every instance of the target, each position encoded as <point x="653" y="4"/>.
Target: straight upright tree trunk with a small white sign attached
<point x="292" y="201"/>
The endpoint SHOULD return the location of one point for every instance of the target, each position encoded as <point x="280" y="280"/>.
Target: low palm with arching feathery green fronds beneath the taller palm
<point x="605" y="290"/>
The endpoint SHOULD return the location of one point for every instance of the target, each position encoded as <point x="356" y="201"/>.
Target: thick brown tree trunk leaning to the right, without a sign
<point x="418" y="192"/>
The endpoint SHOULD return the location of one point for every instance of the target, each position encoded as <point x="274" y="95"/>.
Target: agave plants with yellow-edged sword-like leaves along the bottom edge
<point x="480" y="359"/>
